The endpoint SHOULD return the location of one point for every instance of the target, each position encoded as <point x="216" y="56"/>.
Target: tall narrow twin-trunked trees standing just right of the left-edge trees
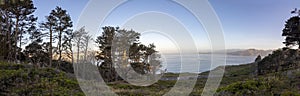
<point x="59" y="21"/>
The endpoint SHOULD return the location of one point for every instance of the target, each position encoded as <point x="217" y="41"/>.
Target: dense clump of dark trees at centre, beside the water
<point x="124" y="49"/>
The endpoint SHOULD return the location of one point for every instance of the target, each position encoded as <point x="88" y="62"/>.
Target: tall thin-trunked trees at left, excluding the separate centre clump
<point x="19" y="27"/>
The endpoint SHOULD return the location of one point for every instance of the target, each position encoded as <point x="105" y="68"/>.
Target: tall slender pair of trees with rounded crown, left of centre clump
<point x="58" y="24"/>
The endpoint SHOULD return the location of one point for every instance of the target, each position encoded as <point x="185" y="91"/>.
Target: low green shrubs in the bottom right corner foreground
<point x="267" y="85"/>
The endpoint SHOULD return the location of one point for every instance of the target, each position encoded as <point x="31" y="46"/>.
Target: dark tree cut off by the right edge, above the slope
<point x="292" y="31"/>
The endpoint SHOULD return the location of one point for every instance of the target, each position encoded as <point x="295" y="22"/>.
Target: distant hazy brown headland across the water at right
<point x="250" y="52"/>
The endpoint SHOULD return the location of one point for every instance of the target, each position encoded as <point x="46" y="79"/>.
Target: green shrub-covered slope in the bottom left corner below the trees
<point x="21" y="79"/>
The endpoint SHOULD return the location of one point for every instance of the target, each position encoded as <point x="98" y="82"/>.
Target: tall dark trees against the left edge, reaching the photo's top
<point x="16" y="20"/>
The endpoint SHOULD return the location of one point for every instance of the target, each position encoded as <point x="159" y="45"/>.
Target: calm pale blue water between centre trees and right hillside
<point x="199" y="63"/>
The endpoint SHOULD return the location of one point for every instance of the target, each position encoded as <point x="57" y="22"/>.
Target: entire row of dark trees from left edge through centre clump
<point x="53" y="42"/>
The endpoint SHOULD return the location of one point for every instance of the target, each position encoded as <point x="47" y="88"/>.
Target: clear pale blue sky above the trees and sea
<point x="246" y="23"/>
